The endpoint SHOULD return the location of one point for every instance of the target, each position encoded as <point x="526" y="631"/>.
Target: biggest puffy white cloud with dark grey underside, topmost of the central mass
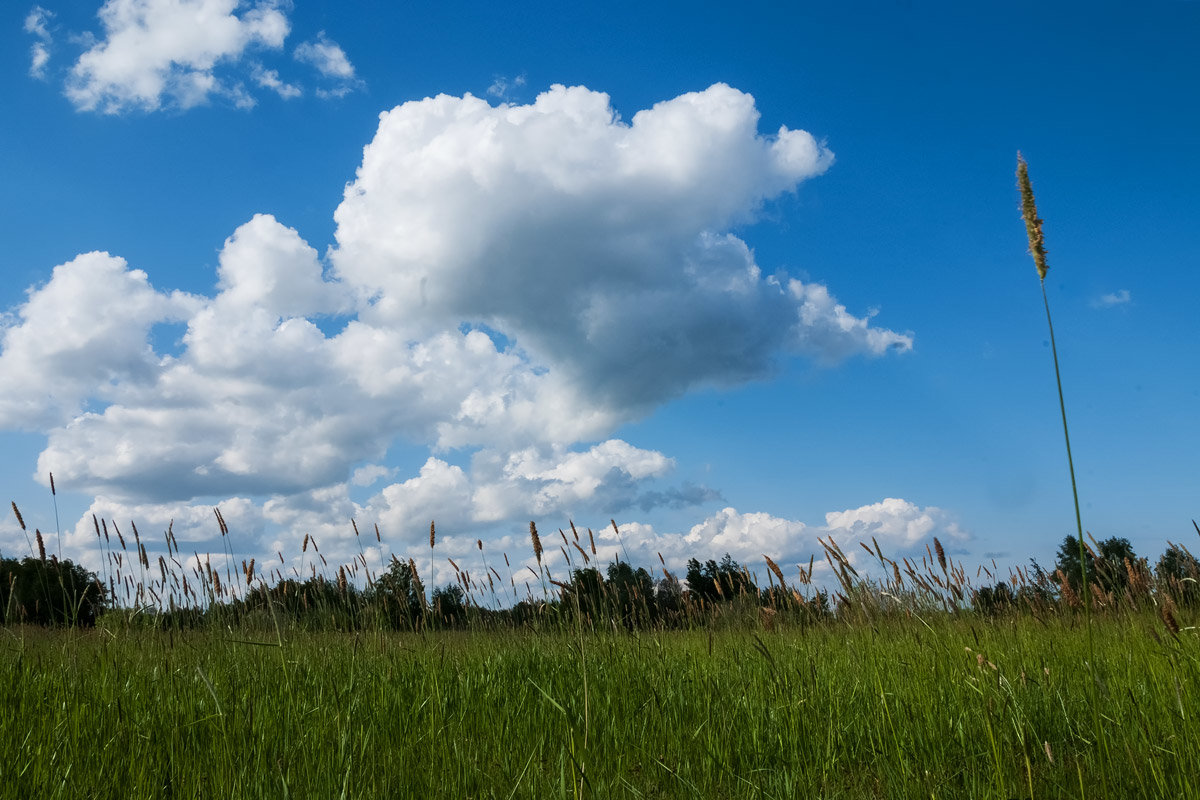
<point x="598" y="245"/>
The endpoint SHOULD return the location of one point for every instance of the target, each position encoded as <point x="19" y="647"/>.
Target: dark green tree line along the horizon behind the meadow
<point x="53" y="592"/>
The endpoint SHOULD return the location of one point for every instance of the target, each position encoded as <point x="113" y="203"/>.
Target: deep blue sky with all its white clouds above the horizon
<point x="735" y="276"/>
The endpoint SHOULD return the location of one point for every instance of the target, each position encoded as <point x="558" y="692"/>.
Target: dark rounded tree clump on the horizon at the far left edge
<point x="50" y="592"/>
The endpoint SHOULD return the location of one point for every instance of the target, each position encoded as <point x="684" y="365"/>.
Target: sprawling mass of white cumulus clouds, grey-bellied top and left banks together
<point x="512" y="282"/>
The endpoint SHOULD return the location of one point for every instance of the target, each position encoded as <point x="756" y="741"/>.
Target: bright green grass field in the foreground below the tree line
<point x="955" y="706"/>
